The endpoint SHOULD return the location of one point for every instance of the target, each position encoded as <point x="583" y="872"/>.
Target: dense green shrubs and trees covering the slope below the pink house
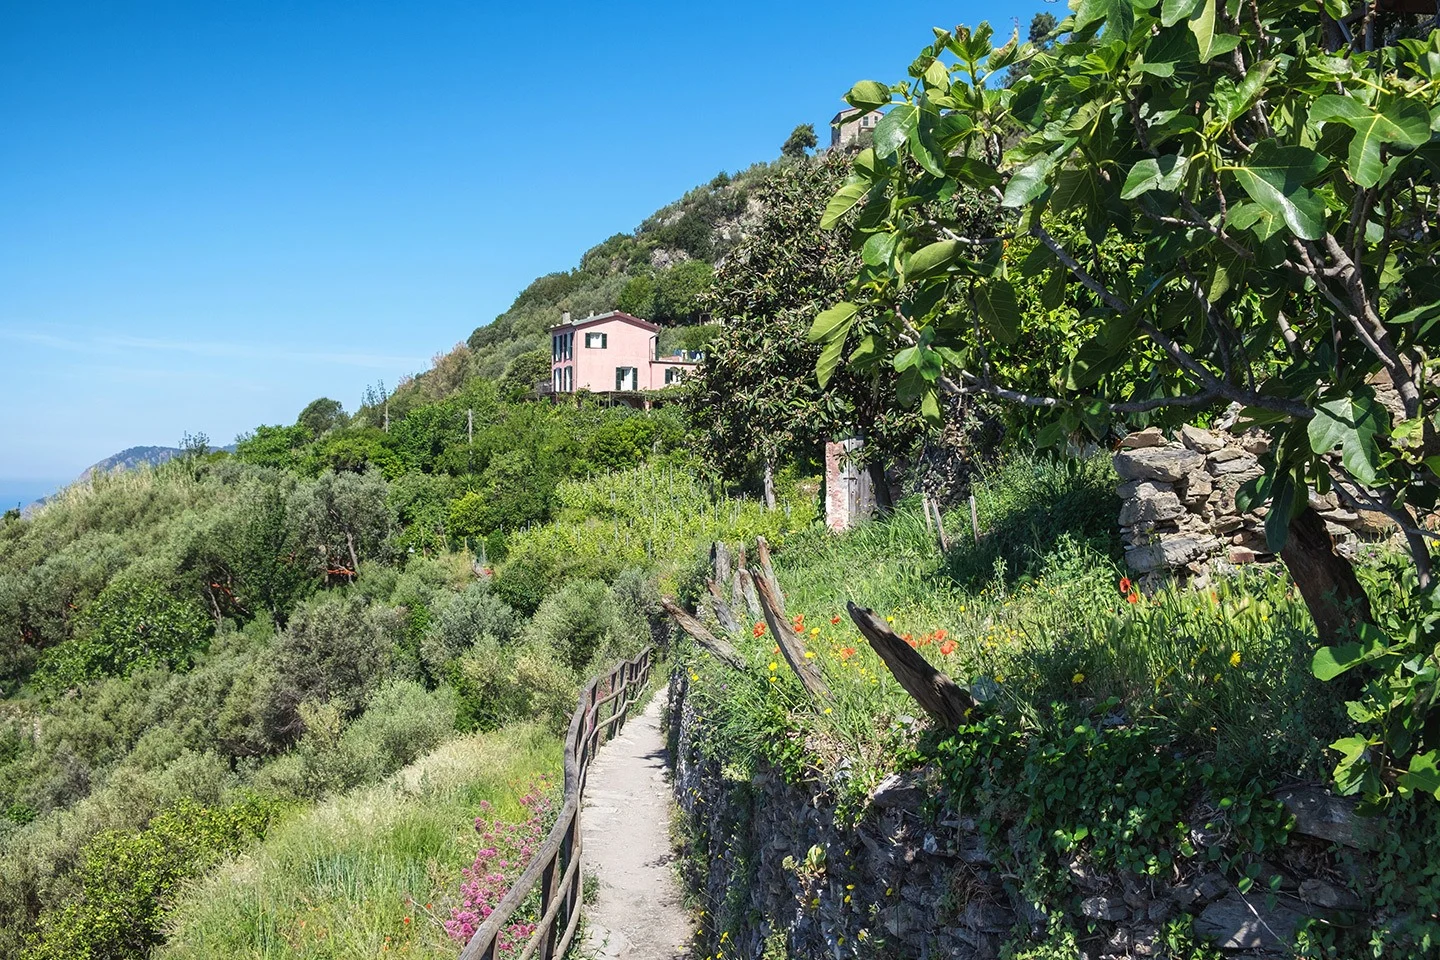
<point x="303" y="618"/>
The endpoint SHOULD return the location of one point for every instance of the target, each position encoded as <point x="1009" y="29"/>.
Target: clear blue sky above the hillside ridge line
<point x="214" y="212"/>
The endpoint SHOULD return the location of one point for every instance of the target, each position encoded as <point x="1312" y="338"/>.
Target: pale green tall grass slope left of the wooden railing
<point x="368" y="874"/>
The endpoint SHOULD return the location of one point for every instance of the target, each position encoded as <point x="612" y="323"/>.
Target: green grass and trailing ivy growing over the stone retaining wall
<point x="1140" y="738"/>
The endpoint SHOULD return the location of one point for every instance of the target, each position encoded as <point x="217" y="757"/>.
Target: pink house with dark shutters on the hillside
<point x="611" y="353"/>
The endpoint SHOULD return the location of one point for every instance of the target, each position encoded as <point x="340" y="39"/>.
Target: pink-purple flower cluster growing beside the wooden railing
<point x="506" y="850"/>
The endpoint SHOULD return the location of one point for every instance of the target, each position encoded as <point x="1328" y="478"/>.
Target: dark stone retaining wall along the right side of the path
<point x="780" y="879"/>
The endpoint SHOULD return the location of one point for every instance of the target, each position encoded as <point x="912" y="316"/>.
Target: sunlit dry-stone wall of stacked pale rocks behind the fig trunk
<point x="1179" y="503"/>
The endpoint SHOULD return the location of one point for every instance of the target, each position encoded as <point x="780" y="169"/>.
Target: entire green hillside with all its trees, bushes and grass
<point x="276" y="702"/>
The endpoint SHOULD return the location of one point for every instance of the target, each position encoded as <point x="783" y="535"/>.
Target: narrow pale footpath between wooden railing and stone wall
<point x="627" y="846"/>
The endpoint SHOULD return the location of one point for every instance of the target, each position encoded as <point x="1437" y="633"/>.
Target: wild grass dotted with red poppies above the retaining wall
<point x="1029" y="618"/>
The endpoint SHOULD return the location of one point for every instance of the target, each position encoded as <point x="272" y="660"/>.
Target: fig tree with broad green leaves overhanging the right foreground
<point x="1272" y="172"/>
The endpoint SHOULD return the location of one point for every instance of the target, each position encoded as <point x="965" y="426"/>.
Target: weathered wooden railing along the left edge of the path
<point x="555" y="870"/>
